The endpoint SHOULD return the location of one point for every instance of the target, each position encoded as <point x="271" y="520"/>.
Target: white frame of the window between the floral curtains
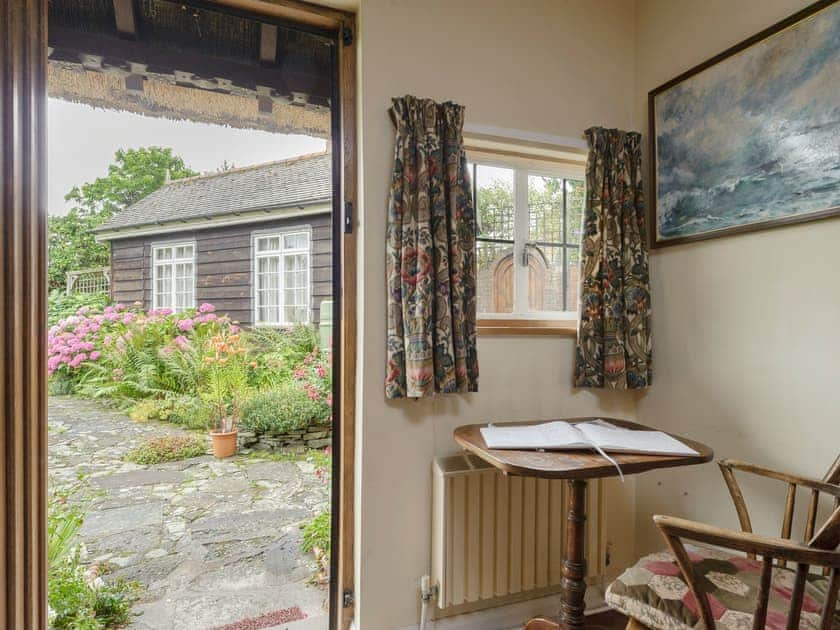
<point x="522" y="168"/>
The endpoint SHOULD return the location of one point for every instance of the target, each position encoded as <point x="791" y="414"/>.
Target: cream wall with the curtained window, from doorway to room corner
<point x="553" y="67"/>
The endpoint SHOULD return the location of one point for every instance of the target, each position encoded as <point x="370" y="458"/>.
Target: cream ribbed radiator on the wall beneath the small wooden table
<point x="498" y="539"/>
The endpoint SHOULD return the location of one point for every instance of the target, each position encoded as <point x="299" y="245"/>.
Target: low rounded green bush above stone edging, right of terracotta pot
<point x="285" y="409"/>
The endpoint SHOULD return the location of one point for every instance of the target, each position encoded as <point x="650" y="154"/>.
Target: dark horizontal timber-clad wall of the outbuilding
<point x="224" y="265"/>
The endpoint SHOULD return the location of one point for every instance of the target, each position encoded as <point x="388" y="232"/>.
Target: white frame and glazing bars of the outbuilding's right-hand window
<point x="281" y="253"/>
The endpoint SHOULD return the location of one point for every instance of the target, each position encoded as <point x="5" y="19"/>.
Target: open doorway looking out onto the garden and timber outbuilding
<point x="194" y="256"/>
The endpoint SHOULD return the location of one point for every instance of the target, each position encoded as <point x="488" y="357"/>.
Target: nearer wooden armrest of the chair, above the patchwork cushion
<point x="781" y="548"/>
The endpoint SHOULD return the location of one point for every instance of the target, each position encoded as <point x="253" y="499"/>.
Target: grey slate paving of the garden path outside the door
<point x="211" y="541"/>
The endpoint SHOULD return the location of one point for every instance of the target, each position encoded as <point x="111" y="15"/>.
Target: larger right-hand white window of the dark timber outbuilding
<point x="281" y="268"/>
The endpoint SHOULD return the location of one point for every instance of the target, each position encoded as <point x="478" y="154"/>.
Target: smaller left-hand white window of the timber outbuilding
<point x="173" y="276"/>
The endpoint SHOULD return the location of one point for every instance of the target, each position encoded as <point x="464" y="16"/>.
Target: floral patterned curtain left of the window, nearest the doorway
<point x="431" y="265"/>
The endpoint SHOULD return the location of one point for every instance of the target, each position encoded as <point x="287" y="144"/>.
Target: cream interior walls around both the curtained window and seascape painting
<point x="743" y="326"/>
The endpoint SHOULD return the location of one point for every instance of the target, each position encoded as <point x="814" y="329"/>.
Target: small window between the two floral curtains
<point x="528" y="242"/>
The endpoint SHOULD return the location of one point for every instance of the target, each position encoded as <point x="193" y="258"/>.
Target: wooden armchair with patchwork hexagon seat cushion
<point x="730" y="590"/>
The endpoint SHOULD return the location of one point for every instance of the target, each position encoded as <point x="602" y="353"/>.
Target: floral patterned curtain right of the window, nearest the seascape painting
<point x="614" y="339"/>
